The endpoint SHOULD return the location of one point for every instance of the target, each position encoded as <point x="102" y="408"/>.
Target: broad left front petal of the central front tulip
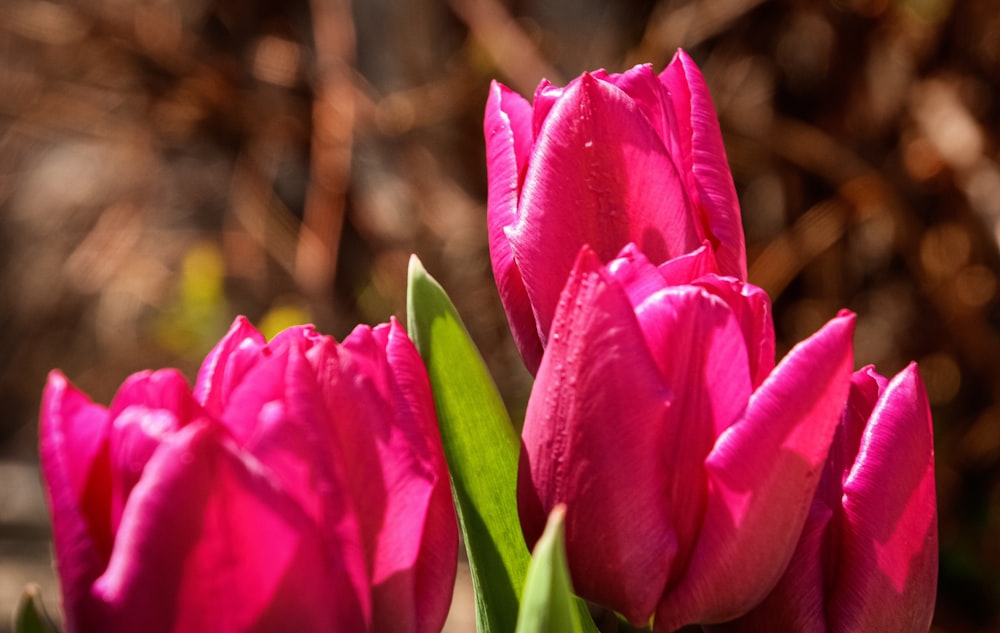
<point x="597" y="369"/>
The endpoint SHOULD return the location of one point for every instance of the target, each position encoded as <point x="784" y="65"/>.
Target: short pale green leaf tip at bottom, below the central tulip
<point x="548" y="604"/>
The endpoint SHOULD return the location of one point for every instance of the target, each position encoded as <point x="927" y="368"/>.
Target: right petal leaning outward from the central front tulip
<point x="763" y="473"/>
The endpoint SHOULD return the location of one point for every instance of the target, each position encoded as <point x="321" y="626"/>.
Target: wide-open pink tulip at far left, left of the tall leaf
<point x="301" y="486"/>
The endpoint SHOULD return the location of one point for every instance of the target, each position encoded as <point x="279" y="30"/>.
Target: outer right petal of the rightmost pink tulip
<point x="889" y="557"/>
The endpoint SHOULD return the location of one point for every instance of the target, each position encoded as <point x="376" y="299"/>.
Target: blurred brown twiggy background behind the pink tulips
<point x="168" y="164"/>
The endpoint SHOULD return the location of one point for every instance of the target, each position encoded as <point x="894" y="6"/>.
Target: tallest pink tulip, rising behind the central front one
<point x="607" y="160"/>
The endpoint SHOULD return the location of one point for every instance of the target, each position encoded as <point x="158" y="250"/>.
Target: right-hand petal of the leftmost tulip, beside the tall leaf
<point x="393" y="459"/>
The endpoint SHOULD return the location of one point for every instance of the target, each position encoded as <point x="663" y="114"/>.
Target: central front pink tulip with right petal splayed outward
<point x="686" y="459"/>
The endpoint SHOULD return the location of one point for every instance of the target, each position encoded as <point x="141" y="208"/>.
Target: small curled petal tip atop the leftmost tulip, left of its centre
<point x="216" y="376"/>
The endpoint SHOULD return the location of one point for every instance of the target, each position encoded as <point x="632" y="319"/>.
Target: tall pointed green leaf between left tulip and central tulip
<point x="481" y="447"/>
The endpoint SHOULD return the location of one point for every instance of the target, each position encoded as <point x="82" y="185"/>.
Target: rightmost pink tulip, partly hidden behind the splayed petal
<point x="867" y="557"/>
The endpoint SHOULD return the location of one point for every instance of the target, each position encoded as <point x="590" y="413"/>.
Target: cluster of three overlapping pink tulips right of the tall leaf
<point x="689" y="464"/>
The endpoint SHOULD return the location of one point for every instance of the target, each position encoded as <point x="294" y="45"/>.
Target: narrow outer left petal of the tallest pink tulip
<point x="507" y="126"/>
